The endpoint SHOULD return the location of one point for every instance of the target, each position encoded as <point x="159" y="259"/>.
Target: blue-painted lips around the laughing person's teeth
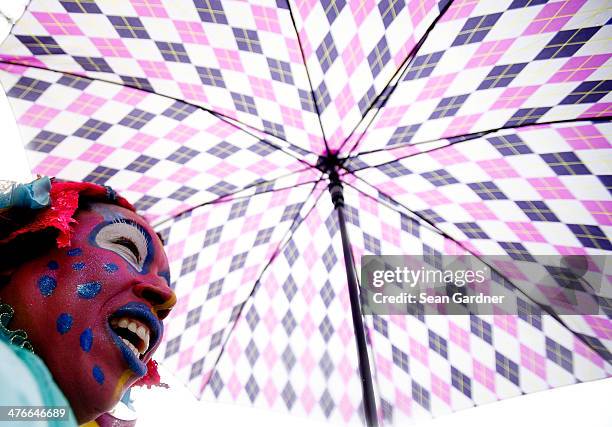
<point x="141" y="312"/>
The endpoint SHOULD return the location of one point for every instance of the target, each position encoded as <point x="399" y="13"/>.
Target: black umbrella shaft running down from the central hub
<point x="369" y="399"/>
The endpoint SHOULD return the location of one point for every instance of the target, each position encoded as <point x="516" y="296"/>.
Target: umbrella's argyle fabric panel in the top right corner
<point x="474" y="73"/>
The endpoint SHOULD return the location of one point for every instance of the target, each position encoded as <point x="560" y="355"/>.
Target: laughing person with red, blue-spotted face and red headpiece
<point x="84" y="287"/>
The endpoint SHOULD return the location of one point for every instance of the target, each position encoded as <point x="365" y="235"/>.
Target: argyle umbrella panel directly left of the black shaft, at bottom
<point x="292" y="348"/>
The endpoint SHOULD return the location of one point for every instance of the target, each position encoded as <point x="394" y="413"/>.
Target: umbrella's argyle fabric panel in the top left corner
<point x="172" y="50"/>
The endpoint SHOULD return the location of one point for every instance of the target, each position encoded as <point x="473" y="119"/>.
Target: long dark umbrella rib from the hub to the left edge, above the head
<point x="220" y="116"/>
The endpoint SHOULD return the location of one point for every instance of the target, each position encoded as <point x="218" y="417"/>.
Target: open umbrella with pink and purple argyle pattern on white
<point x="456" y="127"/>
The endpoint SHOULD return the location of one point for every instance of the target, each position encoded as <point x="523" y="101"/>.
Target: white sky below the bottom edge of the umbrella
<point x="582" y="405"/>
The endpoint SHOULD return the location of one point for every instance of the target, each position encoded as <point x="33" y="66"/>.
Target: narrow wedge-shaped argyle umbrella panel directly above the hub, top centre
<point x="353" y="49"/>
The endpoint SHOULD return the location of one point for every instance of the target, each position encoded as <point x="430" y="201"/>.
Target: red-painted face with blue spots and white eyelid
<point x="93" y="311"/>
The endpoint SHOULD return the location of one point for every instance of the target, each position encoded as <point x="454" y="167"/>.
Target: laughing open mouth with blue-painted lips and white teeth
<point x="136" y="331"/>
